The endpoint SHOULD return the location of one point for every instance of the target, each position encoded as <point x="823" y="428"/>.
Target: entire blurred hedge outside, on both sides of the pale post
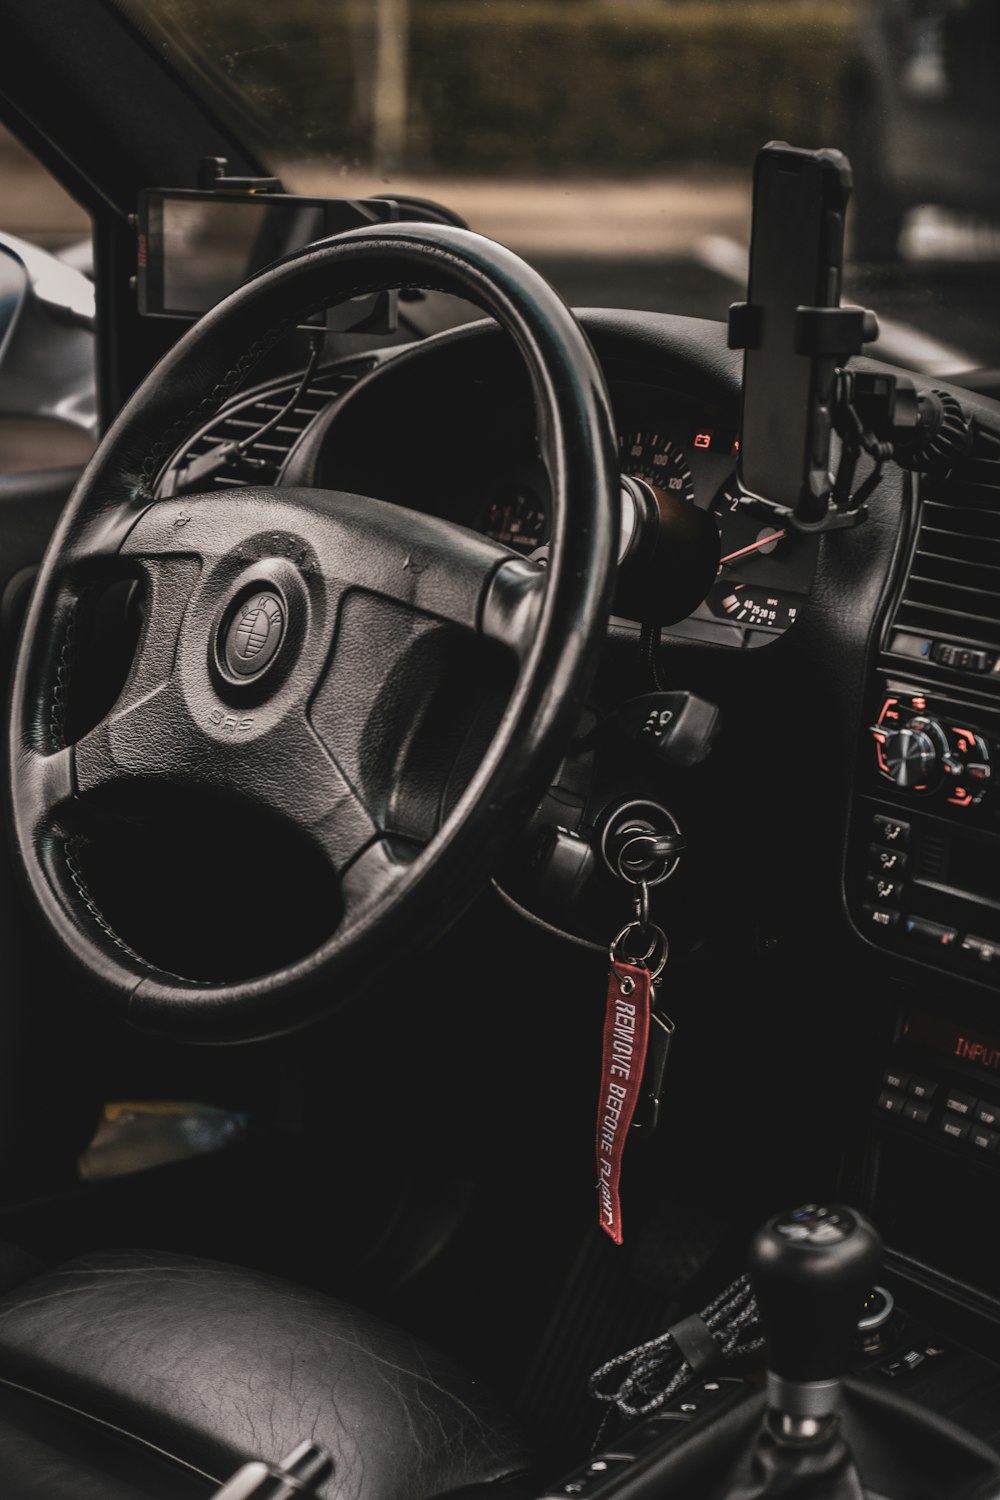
<point x="507" y="88"/>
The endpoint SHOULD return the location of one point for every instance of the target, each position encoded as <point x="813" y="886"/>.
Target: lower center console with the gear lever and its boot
<point x="834" y="1408"/>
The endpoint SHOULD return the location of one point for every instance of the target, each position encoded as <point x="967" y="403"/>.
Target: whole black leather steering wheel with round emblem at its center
<point x="283" y="629"/>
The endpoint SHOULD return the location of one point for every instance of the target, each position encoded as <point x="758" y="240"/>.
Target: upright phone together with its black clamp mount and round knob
<point x="797" y="361"/>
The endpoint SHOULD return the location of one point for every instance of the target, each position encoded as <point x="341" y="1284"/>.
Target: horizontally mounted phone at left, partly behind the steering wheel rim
<point x="196" y="247"/>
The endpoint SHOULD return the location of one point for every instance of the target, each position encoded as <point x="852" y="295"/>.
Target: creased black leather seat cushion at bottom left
<point x="133" y="1376"/>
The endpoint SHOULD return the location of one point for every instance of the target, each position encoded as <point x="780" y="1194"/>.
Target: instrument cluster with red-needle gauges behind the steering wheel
<point x="464" y="448"/>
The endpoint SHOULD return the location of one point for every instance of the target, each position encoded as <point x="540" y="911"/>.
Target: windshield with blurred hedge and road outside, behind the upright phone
<point x="612" y="142"/>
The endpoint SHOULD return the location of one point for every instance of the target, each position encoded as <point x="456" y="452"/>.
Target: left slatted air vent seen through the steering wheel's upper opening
<point x="247" y="415"/>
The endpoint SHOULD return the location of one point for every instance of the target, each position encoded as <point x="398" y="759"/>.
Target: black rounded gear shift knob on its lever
<point x="810" y="1270"/>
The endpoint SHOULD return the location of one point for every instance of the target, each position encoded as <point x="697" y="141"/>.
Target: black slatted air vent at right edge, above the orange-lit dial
<point x="953" y="593"/>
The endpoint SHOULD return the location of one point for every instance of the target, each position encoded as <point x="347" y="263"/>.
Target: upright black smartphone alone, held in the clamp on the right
<point x="797" y="253"/>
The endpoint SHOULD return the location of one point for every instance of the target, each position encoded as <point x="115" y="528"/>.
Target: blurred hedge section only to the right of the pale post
<point x="629" y="89"/>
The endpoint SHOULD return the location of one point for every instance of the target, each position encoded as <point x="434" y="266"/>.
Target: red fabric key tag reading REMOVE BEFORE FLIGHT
<point x="623" y="1066"/>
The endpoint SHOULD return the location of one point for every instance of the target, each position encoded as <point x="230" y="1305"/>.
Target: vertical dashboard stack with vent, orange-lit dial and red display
<point x="923" y="887"/>
